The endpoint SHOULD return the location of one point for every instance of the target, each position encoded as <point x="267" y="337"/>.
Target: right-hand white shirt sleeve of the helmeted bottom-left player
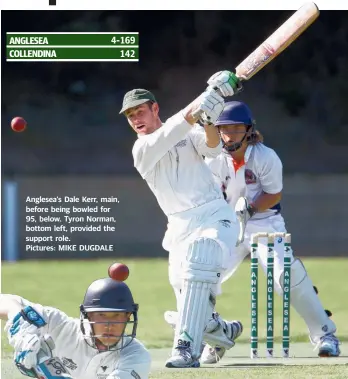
<point x="136" y="364"/>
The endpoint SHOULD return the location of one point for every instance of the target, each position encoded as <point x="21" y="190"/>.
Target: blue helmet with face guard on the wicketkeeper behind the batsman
<point x="234" y="113"/>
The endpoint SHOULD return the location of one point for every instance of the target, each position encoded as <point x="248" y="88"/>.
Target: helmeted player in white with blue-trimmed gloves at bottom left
<point x="99" y="345"/>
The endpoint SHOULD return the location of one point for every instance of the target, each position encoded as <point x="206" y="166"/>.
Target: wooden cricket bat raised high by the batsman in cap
<point x="285" y="35"/>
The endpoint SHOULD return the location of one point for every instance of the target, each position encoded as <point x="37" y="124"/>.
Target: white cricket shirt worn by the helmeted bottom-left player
<point x="81" y="360"/>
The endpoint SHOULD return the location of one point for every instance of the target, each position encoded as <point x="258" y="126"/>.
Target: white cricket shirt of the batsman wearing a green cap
<point x="171" y="162"/>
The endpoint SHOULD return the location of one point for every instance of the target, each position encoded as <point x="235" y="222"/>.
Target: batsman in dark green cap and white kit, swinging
<point x="202" y="229"/>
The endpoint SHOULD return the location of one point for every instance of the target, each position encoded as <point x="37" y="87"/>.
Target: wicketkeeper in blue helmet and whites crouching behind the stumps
<point x="250" y="175"/>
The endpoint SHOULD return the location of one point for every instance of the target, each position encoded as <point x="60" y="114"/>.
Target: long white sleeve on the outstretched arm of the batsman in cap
<point x="149" y="149"/>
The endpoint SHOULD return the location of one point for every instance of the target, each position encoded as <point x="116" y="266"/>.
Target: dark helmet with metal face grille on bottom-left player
<point x="108" y="295"/>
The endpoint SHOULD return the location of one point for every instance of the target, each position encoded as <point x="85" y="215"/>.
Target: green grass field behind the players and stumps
<point x="62" y="284"/>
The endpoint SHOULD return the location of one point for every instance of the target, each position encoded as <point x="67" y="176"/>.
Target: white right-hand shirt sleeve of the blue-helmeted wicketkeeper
<point x="271" y="174"/>
